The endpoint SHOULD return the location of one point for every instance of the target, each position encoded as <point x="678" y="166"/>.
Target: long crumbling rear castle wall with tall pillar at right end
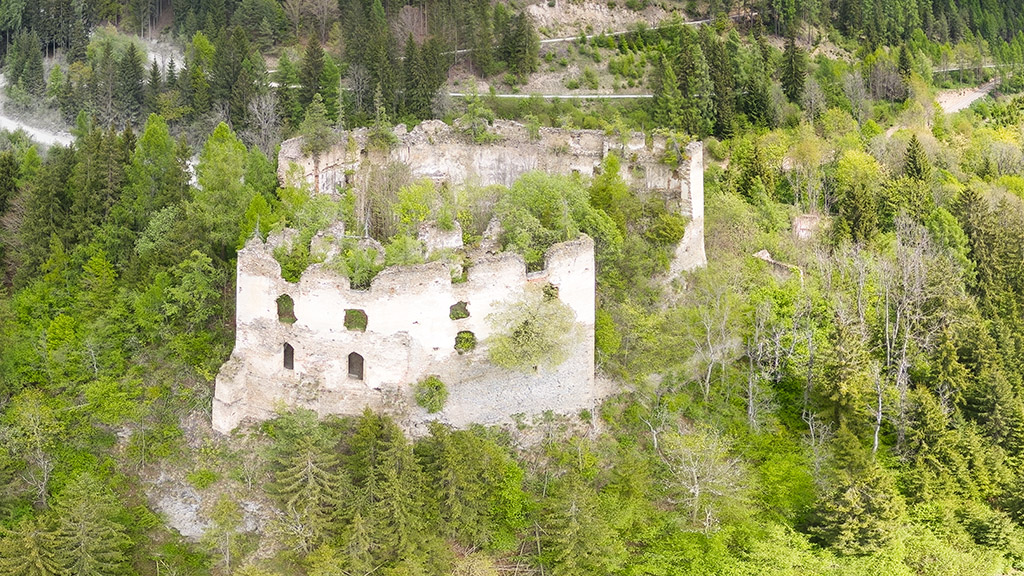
<point x="437" y="151"/>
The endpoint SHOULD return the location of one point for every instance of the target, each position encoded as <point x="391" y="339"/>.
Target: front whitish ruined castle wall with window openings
<point x="409" y="336"/>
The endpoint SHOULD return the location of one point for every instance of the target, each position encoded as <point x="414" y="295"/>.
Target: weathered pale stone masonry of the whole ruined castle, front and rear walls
<point x="318" y="363"/>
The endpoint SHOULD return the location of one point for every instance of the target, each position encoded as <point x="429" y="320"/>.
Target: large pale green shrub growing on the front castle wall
<point x="536" y="331"/>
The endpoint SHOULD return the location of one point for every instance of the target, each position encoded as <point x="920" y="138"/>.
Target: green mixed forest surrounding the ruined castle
<point x="852" y="404"/>
